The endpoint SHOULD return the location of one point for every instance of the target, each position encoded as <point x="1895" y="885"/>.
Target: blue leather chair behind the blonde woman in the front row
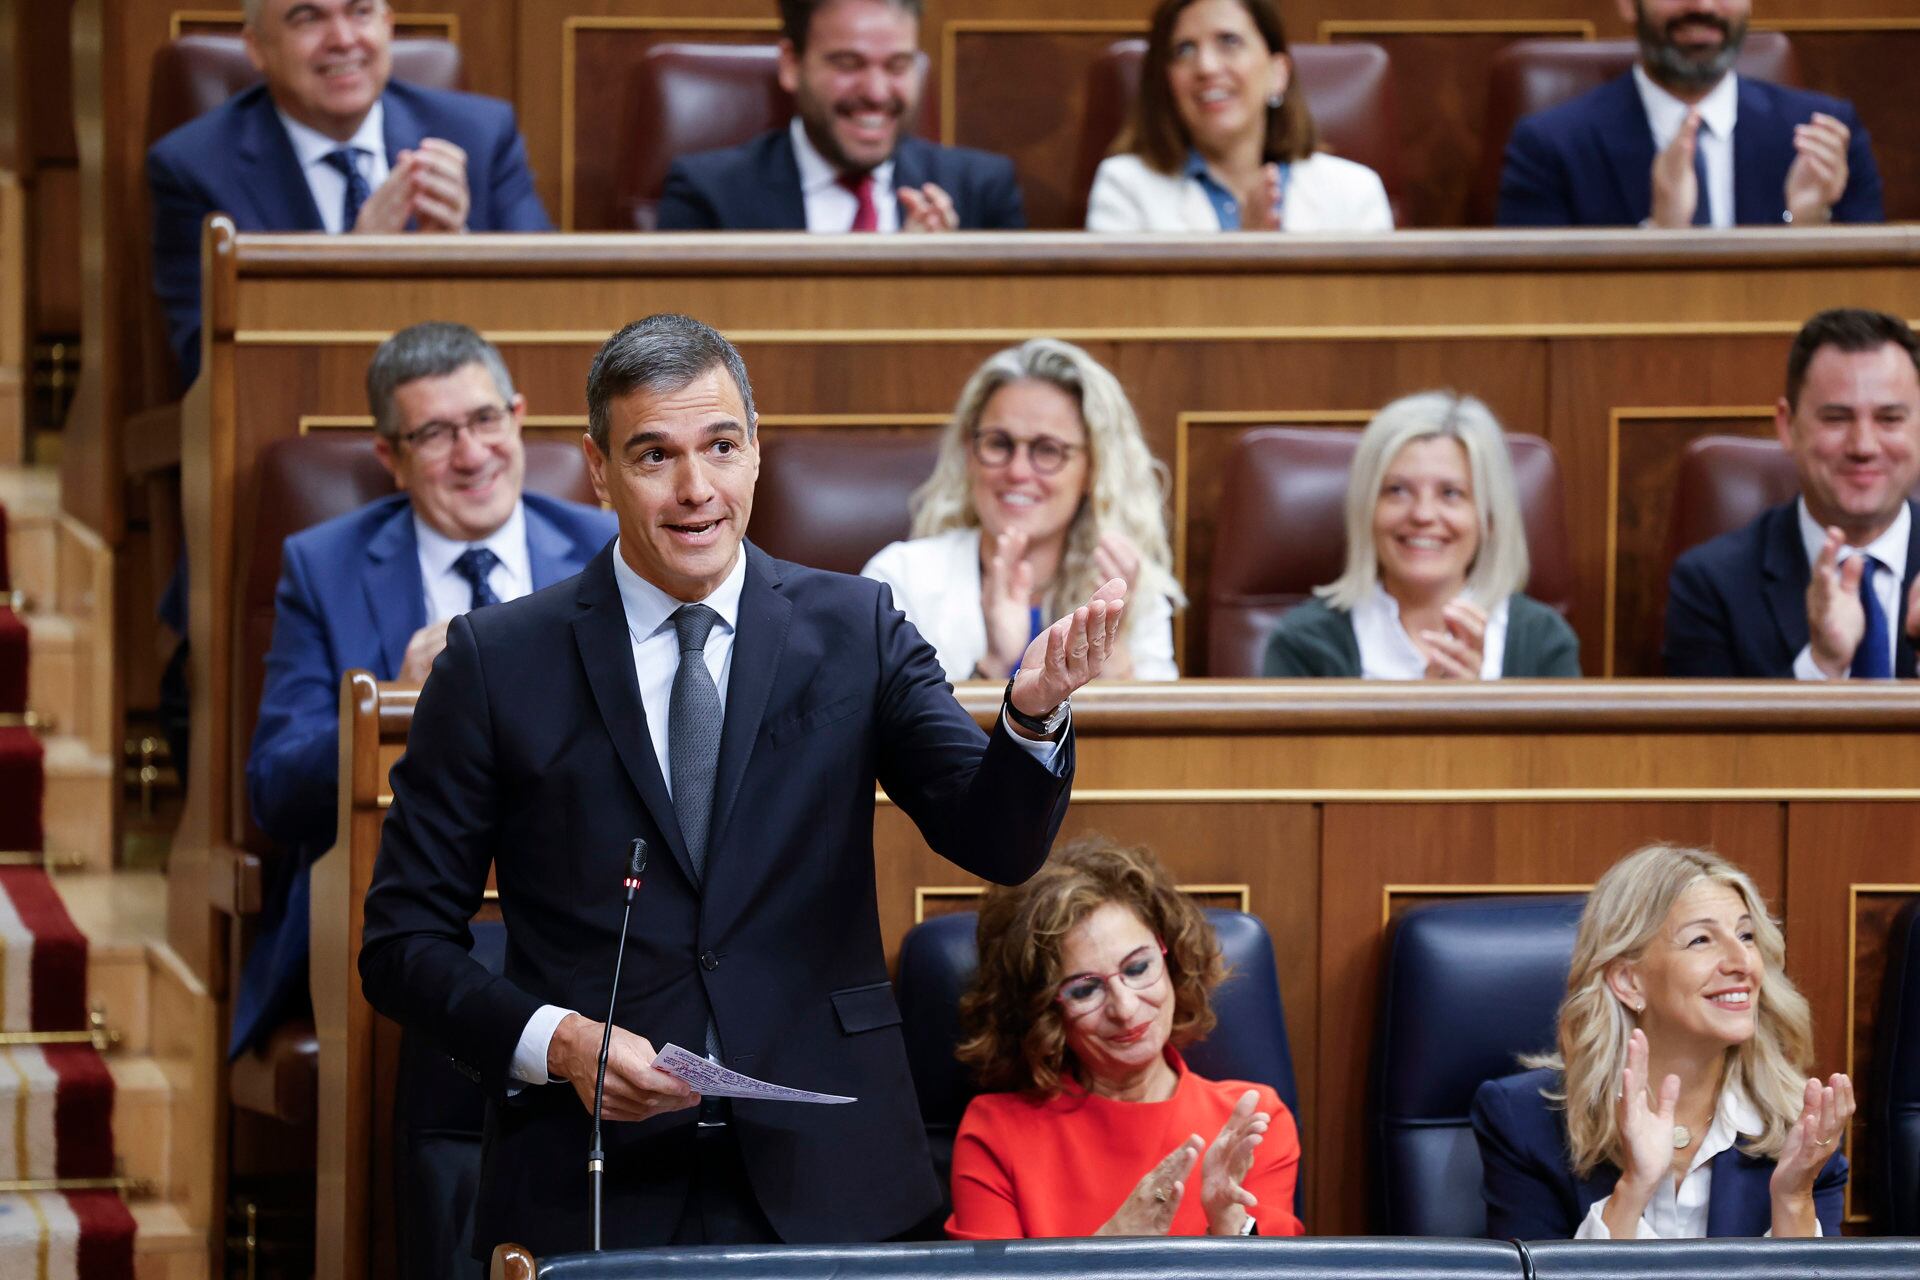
<point x="1468" y="989"/>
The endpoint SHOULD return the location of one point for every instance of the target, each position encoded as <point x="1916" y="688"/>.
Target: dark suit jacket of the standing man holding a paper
<point x="531" y="753"/>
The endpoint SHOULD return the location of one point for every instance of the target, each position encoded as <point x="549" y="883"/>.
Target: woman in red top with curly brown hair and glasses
<point x="1092" y="978"/>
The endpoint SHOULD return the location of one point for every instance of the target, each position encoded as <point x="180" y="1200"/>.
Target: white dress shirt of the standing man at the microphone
<point x="656" y="661"/>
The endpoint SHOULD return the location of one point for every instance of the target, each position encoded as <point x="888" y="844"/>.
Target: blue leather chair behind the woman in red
<point x="938" y="960"/>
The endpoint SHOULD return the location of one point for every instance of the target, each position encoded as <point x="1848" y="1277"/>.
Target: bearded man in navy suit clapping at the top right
<point x="1683" y="141"/>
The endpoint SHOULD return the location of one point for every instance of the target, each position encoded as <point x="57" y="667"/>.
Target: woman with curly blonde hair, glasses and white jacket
<point x="1044" y="492"/>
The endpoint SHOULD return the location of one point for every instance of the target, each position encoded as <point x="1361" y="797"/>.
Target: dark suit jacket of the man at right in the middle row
<point x="1737" y="605"/>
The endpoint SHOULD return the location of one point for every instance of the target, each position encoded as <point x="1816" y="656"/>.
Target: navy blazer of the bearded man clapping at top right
<point x="1591" y="162"/>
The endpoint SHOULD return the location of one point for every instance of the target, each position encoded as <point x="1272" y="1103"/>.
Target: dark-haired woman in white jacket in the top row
<point x="1218" y="143"/>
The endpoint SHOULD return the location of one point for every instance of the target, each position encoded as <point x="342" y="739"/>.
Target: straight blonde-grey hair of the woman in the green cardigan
<point x="1500" y="565"/>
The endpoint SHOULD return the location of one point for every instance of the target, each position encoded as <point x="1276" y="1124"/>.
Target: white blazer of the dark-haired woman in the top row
<point x="1324" y="193"/>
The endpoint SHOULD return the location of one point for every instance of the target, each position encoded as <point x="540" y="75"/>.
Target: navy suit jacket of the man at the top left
<point x="239" y="160"/>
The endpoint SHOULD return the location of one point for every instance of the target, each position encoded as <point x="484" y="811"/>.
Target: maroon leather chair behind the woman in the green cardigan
<point x="1282" y="533"/>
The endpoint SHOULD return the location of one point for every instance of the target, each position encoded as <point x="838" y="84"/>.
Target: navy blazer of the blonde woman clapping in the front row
<point x="1533" y="1195"/>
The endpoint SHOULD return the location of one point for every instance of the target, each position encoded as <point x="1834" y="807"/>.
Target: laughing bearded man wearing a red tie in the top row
<point x="846" y="162"/>
